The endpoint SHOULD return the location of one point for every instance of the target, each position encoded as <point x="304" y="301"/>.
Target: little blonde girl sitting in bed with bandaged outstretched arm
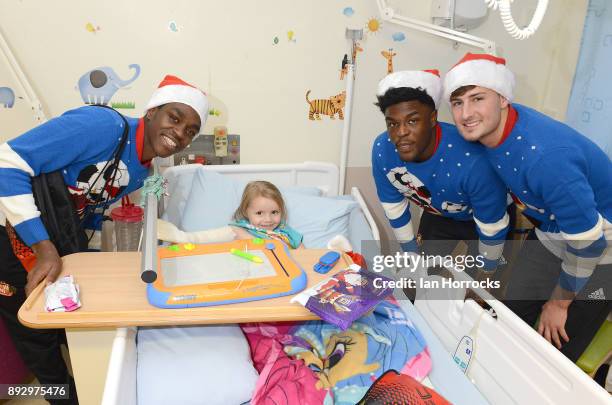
<point x="261" y="214"/>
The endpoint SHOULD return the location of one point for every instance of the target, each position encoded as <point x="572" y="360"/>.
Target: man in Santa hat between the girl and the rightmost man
<point x="426" y="162"/>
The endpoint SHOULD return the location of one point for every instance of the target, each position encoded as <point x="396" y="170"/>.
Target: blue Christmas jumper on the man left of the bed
<point x="79" y="142"/>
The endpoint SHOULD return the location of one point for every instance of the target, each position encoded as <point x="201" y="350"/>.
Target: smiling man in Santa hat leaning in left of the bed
<point x="101" y="156"/>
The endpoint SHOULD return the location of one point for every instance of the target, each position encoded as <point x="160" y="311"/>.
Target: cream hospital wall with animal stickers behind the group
<point x="257" y="60"/>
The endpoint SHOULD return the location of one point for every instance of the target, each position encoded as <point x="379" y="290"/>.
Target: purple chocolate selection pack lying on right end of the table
<point x="345" y="296"/>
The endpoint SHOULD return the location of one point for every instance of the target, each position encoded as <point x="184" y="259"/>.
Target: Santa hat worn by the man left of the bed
<point x="174" y="90"/>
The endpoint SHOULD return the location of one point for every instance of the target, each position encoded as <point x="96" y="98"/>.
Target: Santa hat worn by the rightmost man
<point x="480" y="70"/>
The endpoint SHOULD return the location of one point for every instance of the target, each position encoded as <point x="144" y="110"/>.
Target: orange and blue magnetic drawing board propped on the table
<point x="201" y="275"/>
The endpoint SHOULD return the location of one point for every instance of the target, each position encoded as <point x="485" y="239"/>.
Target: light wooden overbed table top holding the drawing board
<point x="113" y="295"/>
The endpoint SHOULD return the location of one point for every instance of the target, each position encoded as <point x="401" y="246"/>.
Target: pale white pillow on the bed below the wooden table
<point x="194" y="365"/>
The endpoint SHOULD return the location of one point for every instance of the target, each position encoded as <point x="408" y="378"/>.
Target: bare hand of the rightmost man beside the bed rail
<point x="554" y="316"/>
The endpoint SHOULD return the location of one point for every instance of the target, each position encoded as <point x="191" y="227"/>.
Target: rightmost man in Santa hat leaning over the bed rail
<point x="563" y="182"/>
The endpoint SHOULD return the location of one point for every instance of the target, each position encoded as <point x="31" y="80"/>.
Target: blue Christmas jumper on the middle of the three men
<point x="456" y="182"/>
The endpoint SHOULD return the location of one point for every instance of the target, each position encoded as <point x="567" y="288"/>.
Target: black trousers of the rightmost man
<point x="534" y="276"/>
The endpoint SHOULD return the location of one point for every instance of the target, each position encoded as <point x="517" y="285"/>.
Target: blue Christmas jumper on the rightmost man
<point x="563" y="181"/>
